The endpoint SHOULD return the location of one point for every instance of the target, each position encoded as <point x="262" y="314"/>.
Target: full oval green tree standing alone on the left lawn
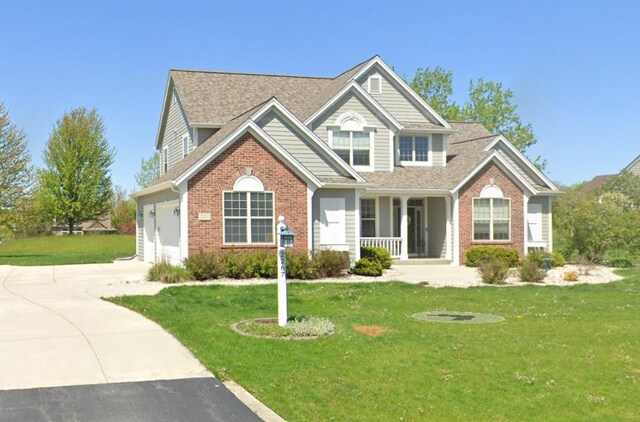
<point x="76" y="183"/>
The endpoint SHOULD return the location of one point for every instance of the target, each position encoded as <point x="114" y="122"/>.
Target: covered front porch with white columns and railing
<point x="408" y="226"/>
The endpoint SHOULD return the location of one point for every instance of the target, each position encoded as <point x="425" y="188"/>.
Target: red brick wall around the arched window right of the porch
<point x="472" y="190"/>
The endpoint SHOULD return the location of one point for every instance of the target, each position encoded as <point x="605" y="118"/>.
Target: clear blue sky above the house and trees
<point x="574" y="66"/>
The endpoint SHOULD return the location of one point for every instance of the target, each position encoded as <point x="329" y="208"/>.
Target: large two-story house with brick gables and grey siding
<point x="358" y="159"/>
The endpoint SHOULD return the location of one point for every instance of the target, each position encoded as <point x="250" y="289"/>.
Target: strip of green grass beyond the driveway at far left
<point x="60" y="250"/>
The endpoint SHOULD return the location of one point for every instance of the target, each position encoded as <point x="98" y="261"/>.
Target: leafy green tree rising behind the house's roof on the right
<point x="489" y="103"/>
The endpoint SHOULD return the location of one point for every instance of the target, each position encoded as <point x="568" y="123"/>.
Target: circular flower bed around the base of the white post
<point x="297" y="328"/>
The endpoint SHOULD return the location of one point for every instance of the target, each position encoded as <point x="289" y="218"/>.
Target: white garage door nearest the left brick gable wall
<point x="168" y="233"/>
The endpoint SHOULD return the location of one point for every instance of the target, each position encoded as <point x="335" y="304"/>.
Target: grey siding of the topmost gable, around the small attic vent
<point x="394" y="101"/>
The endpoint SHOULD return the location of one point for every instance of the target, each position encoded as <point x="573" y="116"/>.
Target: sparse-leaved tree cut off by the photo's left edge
<point x="15" y="164"/>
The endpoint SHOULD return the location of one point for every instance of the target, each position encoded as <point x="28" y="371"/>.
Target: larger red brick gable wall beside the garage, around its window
<point x="206" y="192"/>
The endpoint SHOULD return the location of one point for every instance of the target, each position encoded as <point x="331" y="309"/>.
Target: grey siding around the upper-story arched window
<point x="348" y="103"/>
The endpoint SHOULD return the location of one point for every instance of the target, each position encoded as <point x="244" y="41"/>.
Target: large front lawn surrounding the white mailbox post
<point x="569" y="353"/>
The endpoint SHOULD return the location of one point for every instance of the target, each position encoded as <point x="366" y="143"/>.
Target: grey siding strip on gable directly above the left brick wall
<point x="298" y="146"/>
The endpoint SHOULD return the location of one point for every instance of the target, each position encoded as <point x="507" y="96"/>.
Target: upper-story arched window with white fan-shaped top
<point x="351" y="139"/>
